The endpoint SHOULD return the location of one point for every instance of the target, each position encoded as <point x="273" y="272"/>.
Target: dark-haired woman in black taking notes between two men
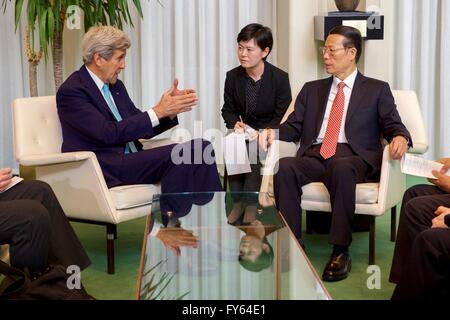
<point x="257" y="95"/>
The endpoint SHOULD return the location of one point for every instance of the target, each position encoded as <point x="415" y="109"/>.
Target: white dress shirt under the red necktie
<point x="348" y="89"/>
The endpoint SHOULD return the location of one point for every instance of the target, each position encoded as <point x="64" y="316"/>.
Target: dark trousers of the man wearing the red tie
<point x="340" y="174"/>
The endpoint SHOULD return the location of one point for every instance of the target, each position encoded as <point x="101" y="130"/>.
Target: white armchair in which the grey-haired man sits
<point x="76" y="177"/>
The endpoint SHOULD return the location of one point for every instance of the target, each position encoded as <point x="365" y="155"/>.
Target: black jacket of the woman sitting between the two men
<point x="273" y="99"/>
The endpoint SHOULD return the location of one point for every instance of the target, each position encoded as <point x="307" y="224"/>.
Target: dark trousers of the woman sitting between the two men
<point x="248" y="182"/>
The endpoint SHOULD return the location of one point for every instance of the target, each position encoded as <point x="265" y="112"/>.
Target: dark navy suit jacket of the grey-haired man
<point x="89" y="125"/>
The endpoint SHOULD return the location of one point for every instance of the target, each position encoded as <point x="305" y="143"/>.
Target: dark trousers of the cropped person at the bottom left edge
<point x="34" y="225"/>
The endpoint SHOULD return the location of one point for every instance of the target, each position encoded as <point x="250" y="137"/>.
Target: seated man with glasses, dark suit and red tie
<point x="339" y="121"/>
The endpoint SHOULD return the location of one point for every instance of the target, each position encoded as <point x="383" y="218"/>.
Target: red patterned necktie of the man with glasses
<point x="329" y="143"/>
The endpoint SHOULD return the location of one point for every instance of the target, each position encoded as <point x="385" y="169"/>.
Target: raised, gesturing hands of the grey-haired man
<point x="175" y="101"/>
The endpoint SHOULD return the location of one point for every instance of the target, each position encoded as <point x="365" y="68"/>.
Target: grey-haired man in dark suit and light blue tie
<point x="97" y="114"/>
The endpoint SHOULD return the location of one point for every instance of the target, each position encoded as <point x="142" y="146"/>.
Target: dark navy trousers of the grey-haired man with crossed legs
<point x="186" y="167"/>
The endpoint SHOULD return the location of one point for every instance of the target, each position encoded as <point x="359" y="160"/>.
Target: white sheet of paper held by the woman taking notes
<point x="236" y="157"/>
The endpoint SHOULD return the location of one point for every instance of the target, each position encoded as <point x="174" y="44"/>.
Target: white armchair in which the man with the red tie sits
<point x="372" y="199"/>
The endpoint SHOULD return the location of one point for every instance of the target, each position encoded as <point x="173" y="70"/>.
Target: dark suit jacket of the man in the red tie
<point x="372" y="113"/>
